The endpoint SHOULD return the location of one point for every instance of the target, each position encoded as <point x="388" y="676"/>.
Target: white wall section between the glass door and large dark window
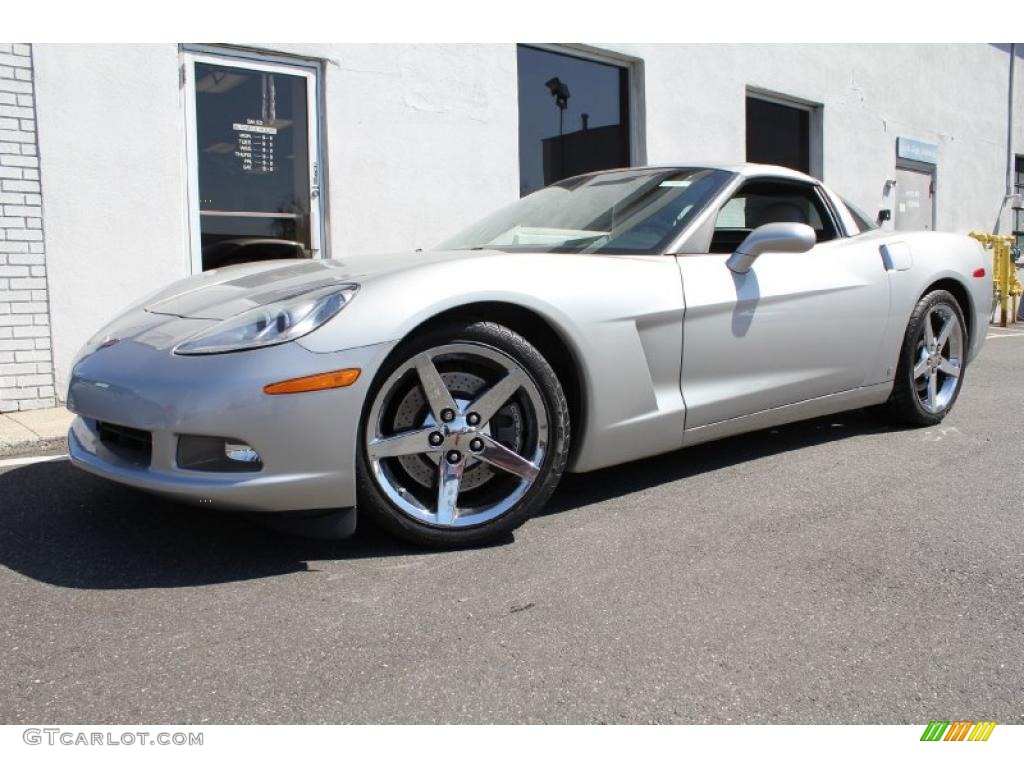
<point x="422" y="140"/>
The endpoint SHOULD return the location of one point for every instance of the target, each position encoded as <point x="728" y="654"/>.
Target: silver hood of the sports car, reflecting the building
<point x="220" y="294"/>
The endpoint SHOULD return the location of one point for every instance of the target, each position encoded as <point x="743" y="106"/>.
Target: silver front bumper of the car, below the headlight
<point x="308" y="442"/>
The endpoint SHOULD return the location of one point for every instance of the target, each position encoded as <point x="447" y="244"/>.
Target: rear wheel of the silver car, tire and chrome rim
<point x="931" y="366"/>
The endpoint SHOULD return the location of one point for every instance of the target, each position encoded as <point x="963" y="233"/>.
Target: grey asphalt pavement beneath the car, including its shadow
<point x="837" y="571"/>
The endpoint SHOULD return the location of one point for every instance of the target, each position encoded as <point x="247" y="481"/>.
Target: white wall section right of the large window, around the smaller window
<point x="952" y="96"/>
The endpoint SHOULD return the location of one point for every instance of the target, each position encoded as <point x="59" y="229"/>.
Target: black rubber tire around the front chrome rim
<point x="376" y="504"/>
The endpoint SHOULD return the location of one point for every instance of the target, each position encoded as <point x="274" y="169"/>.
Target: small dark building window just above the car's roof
<point x="778" y="135"/>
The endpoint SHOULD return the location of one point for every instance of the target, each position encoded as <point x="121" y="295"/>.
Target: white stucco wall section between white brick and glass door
<point x="112" y="145"/>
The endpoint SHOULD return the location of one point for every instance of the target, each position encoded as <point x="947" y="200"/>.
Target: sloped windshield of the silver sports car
<point x="629" y="211"/>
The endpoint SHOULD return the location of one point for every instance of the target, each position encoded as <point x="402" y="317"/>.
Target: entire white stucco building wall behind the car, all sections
<point x="422" y="140"/>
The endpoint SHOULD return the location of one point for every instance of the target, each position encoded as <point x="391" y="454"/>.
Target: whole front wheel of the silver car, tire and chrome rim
<point x="465" y="437"/>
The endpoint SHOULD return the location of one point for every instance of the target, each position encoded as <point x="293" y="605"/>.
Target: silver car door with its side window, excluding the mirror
<point x="796" y="327"/>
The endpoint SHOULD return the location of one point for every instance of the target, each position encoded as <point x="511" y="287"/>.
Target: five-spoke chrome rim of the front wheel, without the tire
<point x="457" y="436"/>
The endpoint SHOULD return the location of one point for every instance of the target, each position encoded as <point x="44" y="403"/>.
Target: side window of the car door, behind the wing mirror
<point x="760" y="203"/>
